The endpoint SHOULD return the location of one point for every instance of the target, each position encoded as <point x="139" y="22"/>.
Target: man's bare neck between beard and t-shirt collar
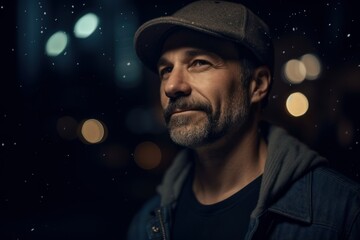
<point x="226" y="168"/>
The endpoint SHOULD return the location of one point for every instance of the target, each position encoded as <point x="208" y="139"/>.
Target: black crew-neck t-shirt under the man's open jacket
<point x="228" y="219"/>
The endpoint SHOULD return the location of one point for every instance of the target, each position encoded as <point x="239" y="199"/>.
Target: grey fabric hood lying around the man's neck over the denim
<point x="288" y="160"/>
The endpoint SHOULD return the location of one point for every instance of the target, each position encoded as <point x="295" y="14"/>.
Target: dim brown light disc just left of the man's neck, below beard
<point x="147" y="155"/>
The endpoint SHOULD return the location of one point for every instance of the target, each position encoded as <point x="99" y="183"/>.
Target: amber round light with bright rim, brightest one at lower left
<point x="93" y="131"/>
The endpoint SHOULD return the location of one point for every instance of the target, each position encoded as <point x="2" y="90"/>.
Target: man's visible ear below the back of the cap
<point x="260" y="84"/>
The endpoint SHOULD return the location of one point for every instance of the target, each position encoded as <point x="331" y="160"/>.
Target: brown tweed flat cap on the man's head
<point x="226" y="20"/>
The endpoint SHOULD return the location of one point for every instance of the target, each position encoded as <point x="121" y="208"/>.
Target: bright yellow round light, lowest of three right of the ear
<point x="297" y="104"/>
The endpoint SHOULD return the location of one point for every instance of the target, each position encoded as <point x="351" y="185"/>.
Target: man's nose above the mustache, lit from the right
<point x="177" y="84"/>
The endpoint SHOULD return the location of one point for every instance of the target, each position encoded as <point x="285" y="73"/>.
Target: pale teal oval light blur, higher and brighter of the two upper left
<point x="86" y="25"/>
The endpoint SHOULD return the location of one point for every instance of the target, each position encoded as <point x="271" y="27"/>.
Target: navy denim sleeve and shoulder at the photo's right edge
<point x="336" y="201"/>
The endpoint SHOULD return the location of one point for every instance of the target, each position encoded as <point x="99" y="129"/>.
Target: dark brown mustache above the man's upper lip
<point x="185" y="103"/>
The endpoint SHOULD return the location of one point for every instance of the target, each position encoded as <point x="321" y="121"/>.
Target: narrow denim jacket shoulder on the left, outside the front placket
<point x="138" y="224"/>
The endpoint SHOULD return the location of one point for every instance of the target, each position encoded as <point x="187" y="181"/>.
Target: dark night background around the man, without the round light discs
<point x="56" y="187"/>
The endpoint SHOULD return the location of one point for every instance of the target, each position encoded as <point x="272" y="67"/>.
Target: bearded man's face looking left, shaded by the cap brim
<point x="201" y="89"/>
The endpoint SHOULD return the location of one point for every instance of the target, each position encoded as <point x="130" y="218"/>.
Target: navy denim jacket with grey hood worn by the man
<point x="300" y="198"/>
